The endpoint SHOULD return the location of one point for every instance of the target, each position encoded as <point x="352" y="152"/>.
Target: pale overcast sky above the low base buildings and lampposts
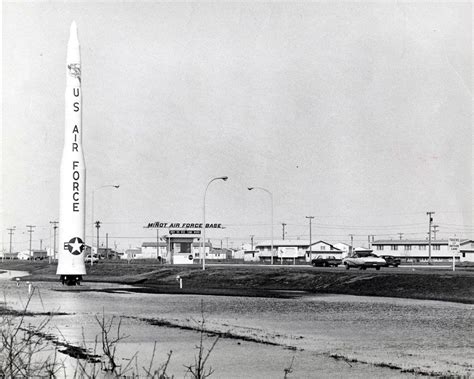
<point x="359" y="114"/>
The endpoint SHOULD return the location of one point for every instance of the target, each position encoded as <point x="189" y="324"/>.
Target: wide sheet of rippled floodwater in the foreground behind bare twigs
<point x="402" y="332"/>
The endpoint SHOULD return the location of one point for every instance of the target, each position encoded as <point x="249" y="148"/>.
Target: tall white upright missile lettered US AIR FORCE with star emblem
<point x="72" y="191"/>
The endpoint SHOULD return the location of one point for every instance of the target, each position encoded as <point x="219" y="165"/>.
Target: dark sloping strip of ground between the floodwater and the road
<point x="281" y="281"/>
